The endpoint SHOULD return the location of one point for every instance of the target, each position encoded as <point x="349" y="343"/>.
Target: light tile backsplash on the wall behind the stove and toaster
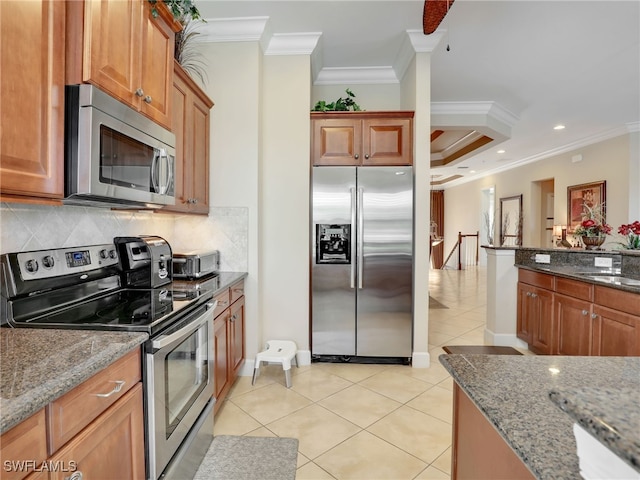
<point x="27" y="227"/>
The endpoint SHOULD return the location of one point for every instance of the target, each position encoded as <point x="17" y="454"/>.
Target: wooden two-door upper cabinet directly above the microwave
<point x="119" y="46"/>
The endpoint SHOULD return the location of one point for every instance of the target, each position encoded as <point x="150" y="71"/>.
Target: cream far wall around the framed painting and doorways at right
<point x="608" y="160"/>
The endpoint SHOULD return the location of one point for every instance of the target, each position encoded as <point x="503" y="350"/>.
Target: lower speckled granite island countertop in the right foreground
<point x="512" y="392"/>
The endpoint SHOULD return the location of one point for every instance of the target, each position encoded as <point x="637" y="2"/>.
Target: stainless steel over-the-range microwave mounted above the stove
<point x="114" y="155"/>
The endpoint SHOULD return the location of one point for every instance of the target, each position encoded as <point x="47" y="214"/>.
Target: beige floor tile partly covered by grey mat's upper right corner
<point x="316" y="429"/>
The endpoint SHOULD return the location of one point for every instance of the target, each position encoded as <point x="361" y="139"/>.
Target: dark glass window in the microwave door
<point x="124" y="161"/>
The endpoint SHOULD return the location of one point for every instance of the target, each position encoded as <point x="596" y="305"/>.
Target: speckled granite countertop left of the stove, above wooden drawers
<point x="39" y="365"/>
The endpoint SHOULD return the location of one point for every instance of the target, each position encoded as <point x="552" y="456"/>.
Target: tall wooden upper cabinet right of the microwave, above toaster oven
<point x="191" y="108"/>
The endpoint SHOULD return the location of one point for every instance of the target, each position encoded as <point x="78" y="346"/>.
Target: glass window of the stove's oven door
<point x="186" y="375"/>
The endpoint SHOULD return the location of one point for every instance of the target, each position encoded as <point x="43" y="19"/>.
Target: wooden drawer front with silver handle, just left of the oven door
<point x="69" y="414"/>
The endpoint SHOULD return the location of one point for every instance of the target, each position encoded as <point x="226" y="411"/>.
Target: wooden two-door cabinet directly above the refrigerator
<point x="362" y="138"/>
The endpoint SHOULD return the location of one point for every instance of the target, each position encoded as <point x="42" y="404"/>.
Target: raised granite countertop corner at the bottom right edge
<point x="607" y="414"/>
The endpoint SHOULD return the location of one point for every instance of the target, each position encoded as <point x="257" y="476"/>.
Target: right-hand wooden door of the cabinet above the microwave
<point x="157" y="68"/>
